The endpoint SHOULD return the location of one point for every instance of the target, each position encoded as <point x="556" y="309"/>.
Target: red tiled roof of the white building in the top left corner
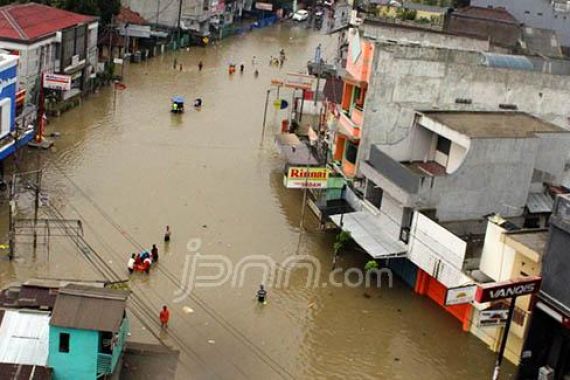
<point x="30" y="22"/>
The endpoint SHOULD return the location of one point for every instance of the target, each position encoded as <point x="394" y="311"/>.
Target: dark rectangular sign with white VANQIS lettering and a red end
<point x="508" y="289"/>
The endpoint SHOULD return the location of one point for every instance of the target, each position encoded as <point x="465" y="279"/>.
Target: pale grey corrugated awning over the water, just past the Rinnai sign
<point x="370" y="232"/>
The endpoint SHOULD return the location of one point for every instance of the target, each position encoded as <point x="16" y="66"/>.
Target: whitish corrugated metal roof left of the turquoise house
<point x="24" y="337"/>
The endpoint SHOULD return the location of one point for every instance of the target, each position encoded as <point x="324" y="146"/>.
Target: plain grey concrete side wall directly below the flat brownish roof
<point x="494" y="177"/>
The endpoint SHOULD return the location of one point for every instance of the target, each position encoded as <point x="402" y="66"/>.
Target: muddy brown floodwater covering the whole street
<point x="127" y="167"/>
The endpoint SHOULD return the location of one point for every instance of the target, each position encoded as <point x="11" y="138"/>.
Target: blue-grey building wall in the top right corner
<point x="534" y="13"/>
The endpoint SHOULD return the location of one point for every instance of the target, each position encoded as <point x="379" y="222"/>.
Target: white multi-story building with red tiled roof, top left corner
<point x="50" y="40"/>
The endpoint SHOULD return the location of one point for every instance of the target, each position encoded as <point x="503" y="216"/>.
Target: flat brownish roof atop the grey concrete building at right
<point x="495" y="124"/>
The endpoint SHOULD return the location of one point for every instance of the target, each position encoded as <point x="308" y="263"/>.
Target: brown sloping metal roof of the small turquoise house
<point x="87" y="308"/>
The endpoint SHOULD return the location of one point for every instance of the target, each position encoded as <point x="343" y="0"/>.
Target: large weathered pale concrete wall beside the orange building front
<point x="408" y="78"/>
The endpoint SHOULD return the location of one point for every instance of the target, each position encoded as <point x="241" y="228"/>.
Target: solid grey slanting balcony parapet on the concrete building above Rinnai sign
<point x="394" y="171"/>
